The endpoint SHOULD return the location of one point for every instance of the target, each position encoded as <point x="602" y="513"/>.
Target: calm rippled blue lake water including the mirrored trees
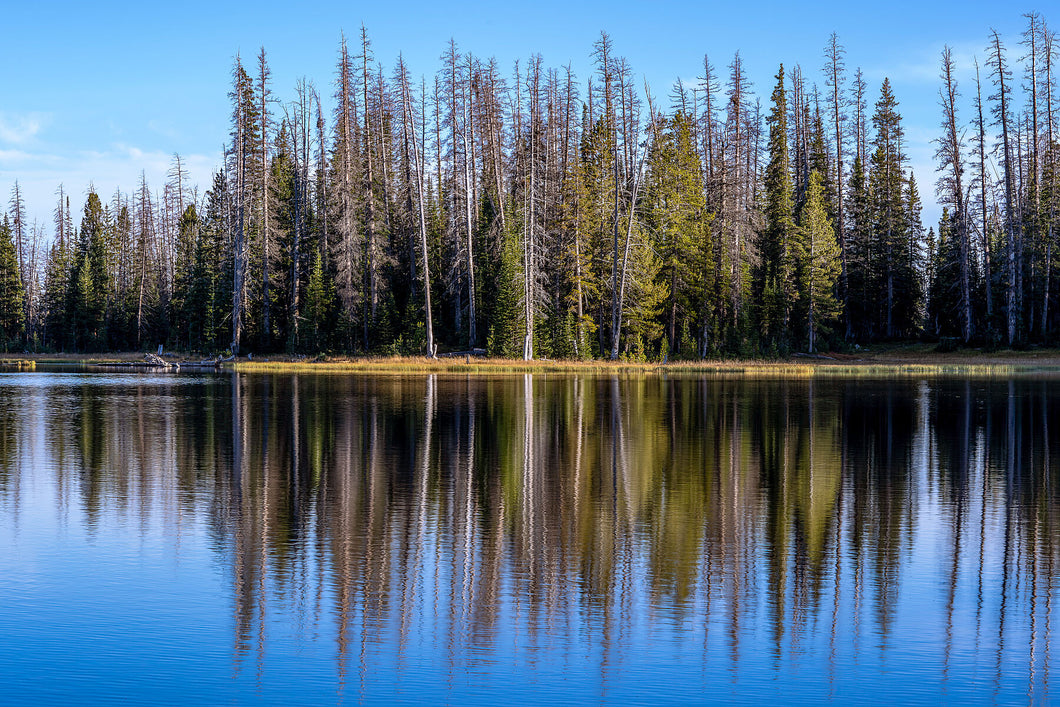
<point x="543" y="540"/>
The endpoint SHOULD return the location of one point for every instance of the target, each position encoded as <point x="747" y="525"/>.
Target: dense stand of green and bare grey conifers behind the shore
<point x="533" y="214"/>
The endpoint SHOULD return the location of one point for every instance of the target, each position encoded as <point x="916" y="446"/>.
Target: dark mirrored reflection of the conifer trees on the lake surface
<point x="453" y="507"/>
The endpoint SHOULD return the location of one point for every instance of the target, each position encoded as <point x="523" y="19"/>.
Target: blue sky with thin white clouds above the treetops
<point x="101" y="92"/>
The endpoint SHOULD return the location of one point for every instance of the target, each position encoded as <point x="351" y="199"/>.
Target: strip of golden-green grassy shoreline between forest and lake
<point x="897" y="361"/>
